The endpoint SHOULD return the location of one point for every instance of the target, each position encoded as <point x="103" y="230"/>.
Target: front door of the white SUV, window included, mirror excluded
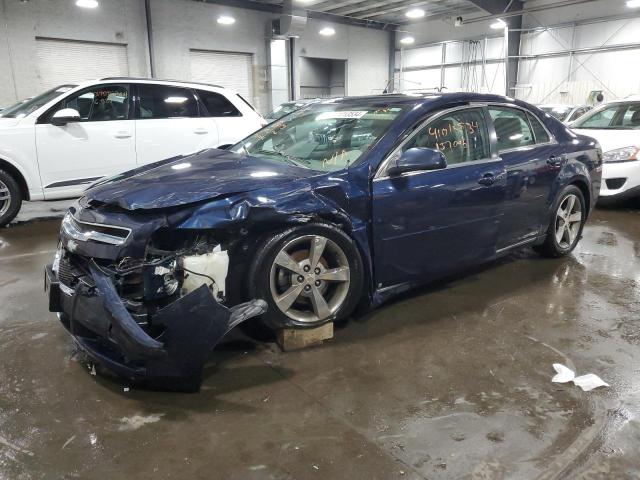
<point x="102" y="143"/>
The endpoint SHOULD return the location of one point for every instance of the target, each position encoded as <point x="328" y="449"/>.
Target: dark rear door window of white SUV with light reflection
<point x="163" y="101"/>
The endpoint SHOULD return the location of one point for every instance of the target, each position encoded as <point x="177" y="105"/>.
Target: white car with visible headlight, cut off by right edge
<point x="616" y="126"/>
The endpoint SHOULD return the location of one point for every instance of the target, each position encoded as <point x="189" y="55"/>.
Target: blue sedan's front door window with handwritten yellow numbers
<point x="461" y="135"/>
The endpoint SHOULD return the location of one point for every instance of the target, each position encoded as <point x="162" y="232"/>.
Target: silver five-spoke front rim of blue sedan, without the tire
<point x="310" y="278"/>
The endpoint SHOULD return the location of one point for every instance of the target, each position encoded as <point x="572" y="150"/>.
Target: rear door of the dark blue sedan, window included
<point x="532" y="159"/>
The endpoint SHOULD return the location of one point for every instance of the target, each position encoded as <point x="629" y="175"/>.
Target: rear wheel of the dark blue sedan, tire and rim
<point x="554" y="247"/>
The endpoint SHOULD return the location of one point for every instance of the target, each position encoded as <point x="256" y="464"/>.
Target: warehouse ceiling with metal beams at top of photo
<point x="389" y="11"/>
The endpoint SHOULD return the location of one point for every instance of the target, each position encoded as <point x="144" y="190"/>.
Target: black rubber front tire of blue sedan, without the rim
<point x="260" y="271"/>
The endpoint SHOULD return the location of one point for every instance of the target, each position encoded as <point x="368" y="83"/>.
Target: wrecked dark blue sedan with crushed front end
<point x="341" y="204"/>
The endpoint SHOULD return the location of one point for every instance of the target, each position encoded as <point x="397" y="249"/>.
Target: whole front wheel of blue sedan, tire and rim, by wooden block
<point x="316" y="294"/>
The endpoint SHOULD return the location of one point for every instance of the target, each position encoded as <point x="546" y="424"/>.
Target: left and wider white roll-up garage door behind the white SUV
<point x="64" y="61"/>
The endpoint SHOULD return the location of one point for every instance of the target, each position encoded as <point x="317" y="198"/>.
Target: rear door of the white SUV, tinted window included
<point x="168" y="123"/>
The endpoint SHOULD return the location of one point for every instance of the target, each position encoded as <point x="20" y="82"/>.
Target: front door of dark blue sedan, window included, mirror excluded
<point x="429" y="224"/>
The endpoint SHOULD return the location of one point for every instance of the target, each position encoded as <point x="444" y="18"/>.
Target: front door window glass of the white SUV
<point x="100" y="103"/>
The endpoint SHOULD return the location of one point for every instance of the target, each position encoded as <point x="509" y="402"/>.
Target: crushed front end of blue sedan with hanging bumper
<point x="143" y="300"/>
